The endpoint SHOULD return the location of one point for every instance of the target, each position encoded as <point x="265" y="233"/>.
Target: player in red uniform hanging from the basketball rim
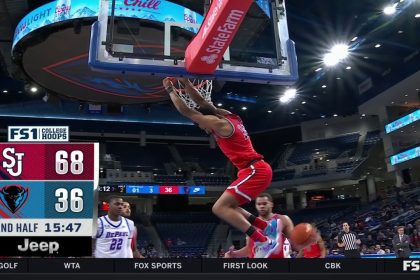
<point x="254" y="174"/>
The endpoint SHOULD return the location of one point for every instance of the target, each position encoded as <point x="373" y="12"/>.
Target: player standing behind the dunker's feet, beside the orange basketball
<point x="264" y="205"/>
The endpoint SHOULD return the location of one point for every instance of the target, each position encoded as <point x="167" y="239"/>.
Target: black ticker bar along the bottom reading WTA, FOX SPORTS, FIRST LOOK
<point x="204" y="266"/>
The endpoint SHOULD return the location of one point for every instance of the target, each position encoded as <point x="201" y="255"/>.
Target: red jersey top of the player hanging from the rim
<point x="237" y="147"/>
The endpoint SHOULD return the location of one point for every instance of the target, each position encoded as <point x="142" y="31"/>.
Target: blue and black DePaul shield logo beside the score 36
<point x="14" y="197"/>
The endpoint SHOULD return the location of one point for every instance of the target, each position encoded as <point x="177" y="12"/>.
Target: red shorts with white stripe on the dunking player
<point x="251" y="181"/>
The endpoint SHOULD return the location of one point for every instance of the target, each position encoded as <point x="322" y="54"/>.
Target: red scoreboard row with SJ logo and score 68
<point x="46" y="161"/>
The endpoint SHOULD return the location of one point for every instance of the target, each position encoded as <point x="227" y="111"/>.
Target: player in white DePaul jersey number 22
<point x="114" y="234"/>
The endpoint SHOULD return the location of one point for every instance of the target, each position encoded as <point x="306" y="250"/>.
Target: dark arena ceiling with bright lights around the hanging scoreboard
<point x="385" y="51"/>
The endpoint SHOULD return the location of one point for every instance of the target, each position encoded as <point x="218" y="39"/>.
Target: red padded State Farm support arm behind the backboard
<point x="219" y="27"/>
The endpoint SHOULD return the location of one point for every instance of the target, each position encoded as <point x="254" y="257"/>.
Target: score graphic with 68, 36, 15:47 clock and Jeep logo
<point x="47" y="198"/>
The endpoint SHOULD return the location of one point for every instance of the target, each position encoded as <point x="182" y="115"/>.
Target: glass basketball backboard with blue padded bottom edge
<point x="150" y="37"/>
